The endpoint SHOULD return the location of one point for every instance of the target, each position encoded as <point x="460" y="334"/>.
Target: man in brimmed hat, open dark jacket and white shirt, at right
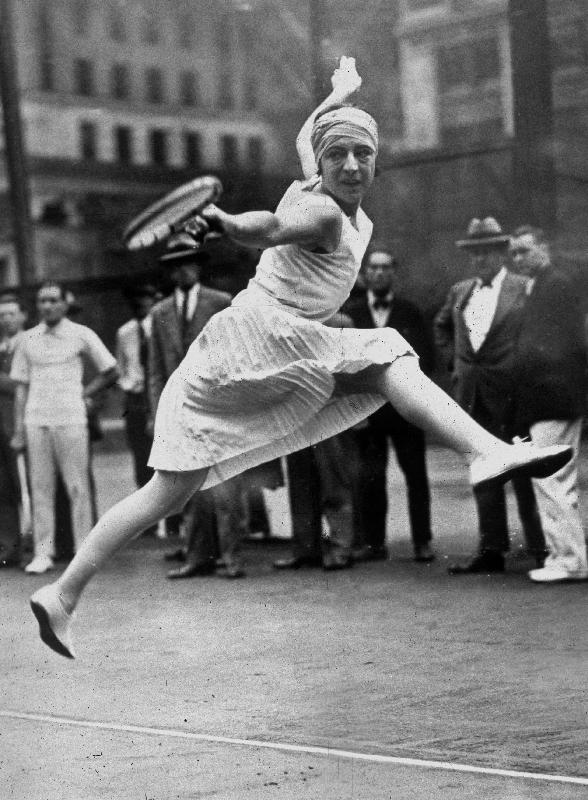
<point x="478" y="329"/>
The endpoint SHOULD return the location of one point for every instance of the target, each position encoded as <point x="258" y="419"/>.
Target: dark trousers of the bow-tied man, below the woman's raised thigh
<point x="372" y="504"/>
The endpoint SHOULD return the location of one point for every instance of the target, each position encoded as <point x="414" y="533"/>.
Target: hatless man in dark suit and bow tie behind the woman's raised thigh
<point x="378" y="307"/>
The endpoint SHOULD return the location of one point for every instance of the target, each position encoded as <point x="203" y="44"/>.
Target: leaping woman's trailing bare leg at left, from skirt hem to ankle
<point x="164" y="494"/>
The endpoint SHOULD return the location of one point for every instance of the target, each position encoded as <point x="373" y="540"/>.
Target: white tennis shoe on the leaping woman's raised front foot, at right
<point x="520" y="458"/>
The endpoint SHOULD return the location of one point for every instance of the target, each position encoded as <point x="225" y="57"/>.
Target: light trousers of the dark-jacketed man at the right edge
<point x="557" y="498"/>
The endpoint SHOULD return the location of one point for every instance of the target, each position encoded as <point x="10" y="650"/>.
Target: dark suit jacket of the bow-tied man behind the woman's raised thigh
<point x="407" y="319"/>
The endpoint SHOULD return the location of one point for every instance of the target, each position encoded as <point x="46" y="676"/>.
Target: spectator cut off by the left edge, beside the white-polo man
<point x="12" y="320"/>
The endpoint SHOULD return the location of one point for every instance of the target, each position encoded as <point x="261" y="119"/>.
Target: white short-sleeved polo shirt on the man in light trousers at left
<point x="51" y="362"/>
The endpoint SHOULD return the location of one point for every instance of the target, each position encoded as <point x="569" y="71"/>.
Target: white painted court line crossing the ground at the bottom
<point x="294" y="748"/>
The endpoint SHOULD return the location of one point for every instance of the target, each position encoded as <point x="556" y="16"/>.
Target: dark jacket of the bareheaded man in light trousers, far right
<point x="551" y="354"/>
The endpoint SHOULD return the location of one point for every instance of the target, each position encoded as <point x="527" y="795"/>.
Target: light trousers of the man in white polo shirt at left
<point x="63" y="448"/>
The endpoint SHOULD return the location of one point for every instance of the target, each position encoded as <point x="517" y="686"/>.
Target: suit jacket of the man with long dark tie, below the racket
<point x="166" y="350"/>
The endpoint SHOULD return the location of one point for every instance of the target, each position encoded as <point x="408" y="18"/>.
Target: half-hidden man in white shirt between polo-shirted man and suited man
<point x="132" y="355"/>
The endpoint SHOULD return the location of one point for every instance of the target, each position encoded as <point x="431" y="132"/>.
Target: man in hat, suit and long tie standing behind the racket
<point x="176" y="322"/>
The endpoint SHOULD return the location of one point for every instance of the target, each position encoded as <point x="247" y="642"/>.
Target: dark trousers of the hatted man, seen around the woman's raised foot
<point x="491" y="500"/>
